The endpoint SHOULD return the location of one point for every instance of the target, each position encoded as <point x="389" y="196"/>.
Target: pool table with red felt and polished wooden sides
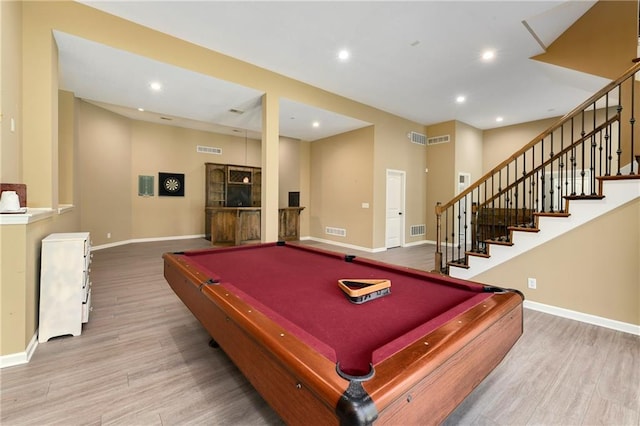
<point x="409" y="357"/>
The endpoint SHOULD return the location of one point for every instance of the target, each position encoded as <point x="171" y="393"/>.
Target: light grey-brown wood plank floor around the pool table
<point x="144" y="360"/>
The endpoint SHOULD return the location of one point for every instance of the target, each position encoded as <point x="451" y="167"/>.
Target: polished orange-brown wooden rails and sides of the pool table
<point x="421" y="384"/>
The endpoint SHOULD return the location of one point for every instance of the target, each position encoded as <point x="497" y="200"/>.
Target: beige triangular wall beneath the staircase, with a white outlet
<point x="592" y="269"/>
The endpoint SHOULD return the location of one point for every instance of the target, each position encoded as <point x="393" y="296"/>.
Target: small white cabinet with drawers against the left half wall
<point x="65" y="289"/>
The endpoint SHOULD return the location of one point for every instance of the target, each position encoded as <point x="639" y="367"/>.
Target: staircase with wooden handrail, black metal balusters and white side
<point x="576" y="170"/>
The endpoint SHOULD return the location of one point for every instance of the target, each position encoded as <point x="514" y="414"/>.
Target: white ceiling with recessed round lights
<point x="411" y="59"/>
